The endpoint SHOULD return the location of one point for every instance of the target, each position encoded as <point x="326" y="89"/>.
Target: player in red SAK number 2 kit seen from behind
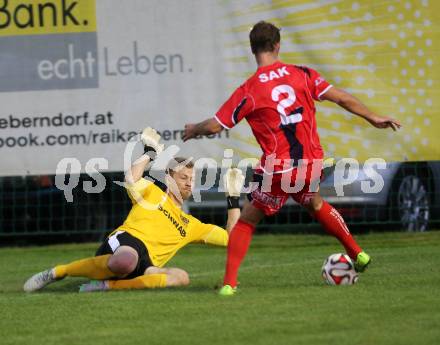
<point x="278" y="103"/>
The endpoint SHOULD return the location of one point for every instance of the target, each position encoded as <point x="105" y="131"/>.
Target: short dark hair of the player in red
<point x="263" y="37"/>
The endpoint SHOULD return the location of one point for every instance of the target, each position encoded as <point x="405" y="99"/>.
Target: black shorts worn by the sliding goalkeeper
<point x="122" y="238"/>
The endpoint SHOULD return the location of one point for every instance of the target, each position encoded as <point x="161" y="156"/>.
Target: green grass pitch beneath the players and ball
<point x="282" y="298"/>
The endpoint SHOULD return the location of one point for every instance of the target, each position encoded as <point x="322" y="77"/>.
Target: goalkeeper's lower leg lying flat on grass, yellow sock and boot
<point x="154" y="277"/>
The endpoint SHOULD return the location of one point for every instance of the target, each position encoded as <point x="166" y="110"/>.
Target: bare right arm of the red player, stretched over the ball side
<point x="355" y="106"/>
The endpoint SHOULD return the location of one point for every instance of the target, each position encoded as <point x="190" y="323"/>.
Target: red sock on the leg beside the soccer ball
<point x="334" y="224"/>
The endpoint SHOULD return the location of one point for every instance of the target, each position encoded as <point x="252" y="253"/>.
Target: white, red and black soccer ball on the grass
<point x="338" y="269"/>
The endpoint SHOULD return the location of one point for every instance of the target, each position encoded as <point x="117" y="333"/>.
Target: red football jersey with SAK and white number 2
<point x="278" y="103"/>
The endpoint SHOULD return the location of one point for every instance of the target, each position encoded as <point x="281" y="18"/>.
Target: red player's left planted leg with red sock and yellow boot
<point x="239" y="241"/>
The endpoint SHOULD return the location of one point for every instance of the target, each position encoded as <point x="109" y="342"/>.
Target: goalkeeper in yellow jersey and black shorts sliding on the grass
<point x="133" y="256"/>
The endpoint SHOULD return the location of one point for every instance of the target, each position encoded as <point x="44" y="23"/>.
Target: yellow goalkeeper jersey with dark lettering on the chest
<point x="162" y="226"/>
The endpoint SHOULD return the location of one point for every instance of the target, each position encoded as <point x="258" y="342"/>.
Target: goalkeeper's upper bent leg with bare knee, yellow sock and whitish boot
<point x="120" y="264"/>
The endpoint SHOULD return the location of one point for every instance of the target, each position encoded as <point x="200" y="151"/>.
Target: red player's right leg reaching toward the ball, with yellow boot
<point x="334" y="224"/>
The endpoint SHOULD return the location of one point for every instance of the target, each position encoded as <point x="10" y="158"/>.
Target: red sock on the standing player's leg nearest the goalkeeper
<point x="239" y="241"/>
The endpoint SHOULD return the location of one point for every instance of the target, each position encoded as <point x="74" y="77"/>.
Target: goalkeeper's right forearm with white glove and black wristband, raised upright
<point x="233" y="183"/>
